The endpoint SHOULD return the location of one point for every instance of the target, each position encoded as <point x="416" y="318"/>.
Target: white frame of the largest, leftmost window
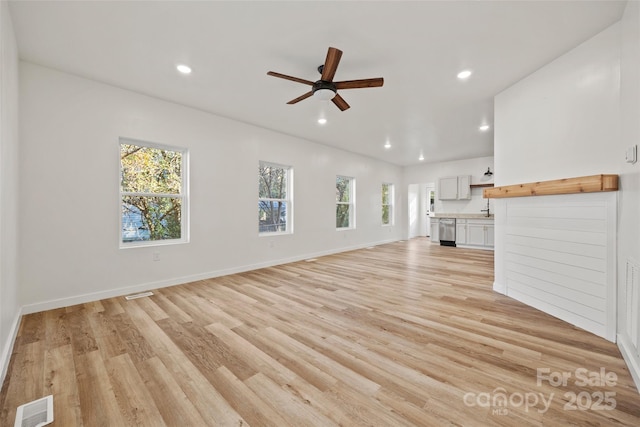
<point x="183" y="195"/>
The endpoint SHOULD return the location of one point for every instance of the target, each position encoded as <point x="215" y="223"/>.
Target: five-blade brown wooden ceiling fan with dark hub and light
<point x="326" y="88"/>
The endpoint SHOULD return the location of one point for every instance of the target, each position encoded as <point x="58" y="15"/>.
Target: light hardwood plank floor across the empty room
<point x="403" y="334"/>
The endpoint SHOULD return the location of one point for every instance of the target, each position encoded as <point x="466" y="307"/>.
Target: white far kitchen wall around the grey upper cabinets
<point x="431" y="172"/>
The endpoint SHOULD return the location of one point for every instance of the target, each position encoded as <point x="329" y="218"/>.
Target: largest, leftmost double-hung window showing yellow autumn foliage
<point x="152" y="194"/>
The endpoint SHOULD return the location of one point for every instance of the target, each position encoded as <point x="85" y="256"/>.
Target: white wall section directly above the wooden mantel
<point x="563" y="120"/>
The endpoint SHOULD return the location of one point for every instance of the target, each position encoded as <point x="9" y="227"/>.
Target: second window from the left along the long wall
<point x="275" y="205"/>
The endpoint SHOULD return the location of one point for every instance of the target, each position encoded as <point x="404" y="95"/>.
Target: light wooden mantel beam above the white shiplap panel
<point x="582" y="184"/>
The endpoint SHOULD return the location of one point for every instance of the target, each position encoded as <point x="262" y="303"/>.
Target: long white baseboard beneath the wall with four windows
<point x="116" y="292"/>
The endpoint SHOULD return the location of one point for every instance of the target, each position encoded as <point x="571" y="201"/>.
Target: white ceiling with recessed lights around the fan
<point x="418" y="47"/>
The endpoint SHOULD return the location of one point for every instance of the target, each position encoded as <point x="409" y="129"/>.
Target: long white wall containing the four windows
<point x="69" y="172"/>
